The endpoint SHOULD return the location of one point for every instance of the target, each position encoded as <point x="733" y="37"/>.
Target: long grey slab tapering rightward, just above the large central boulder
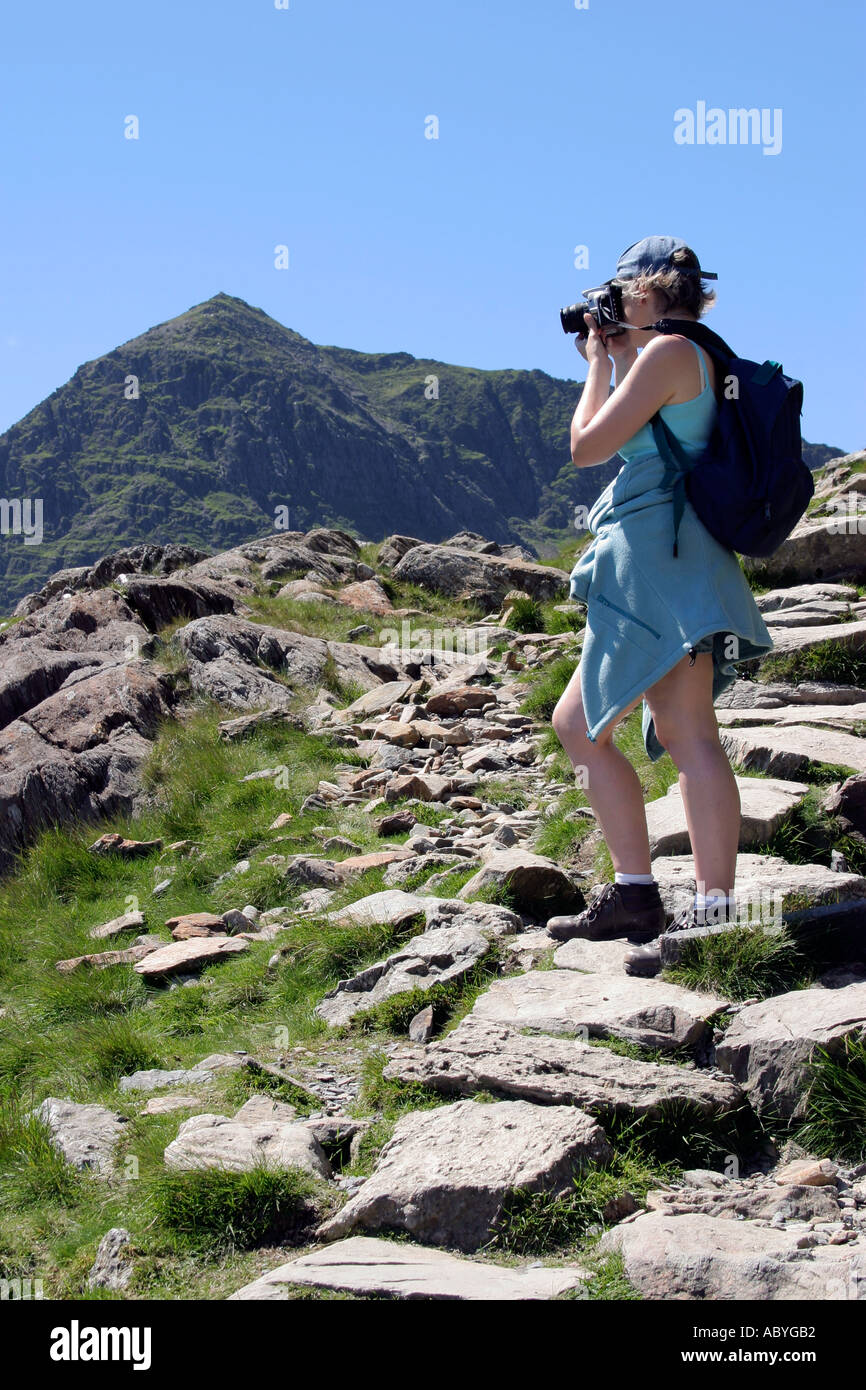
<point x="491" y="1057"/>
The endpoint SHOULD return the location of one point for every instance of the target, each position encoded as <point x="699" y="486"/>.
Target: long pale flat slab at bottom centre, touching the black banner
<point x="369" y="1266"/>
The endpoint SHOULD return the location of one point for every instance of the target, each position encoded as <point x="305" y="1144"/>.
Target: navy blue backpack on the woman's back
<point x="751" y="486"/>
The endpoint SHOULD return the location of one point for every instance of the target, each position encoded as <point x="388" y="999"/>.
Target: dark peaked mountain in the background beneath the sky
<point x="199" y="430"/>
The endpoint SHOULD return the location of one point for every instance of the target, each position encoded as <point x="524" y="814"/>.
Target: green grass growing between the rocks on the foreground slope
<point x="204" y="1236"/>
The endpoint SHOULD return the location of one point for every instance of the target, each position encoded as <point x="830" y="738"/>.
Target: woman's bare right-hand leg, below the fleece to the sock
<point x="682" y="707"/>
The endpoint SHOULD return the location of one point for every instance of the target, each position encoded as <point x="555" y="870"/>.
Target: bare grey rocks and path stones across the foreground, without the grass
<point x="561" y="1047"/>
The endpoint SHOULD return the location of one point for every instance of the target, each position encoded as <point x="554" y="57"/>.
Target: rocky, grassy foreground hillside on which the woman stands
<point x="279" y="885"/>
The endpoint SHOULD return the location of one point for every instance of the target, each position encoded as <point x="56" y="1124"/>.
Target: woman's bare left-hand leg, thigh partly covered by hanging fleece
<point x="611" y="782"/>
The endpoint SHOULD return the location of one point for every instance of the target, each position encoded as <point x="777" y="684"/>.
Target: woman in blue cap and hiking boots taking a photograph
<point x="665" y="623"/>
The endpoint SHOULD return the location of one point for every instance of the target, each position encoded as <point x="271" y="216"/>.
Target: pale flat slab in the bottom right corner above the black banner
<point x="717" y="1259"/>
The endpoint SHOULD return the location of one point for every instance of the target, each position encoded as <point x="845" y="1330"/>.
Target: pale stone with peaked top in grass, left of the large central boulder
<point x="262" y="1134"/>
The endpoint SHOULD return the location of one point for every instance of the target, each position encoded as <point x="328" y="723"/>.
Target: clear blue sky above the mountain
<point x="307" y="127"/>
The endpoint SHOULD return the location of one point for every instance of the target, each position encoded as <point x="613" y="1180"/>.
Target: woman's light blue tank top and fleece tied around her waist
<point x="646" y="607"/>
